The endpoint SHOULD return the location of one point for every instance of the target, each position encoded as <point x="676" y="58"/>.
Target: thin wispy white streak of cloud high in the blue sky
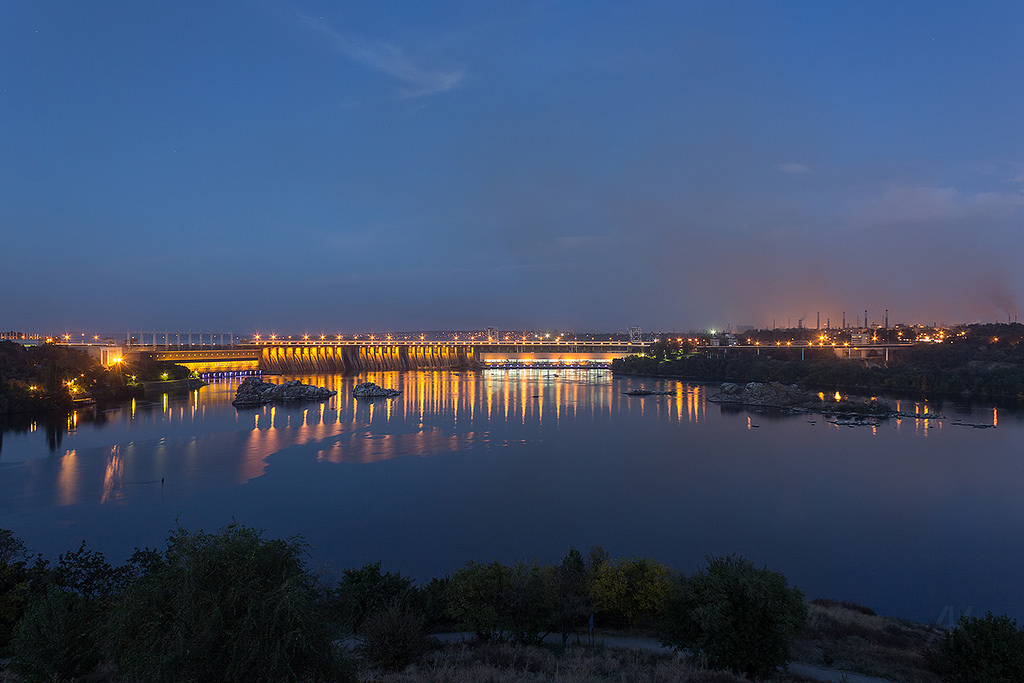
<point x="416" y="80"/>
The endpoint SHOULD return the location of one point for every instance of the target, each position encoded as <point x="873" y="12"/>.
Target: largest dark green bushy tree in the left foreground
<point x="226" y="607"/>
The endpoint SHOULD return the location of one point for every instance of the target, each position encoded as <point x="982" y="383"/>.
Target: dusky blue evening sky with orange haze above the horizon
<point x="340" y="167"/>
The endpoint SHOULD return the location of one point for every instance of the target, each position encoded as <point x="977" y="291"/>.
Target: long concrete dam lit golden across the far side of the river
<point x="351" y="357"/>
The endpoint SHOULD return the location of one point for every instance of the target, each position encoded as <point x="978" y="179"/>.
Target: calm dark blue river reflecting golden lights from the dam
<point x="916" y="519"/>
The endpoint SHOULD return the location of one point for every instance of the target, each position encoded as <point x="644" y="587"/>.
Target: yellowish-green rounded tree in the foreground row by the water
<point x="630" y="590"/>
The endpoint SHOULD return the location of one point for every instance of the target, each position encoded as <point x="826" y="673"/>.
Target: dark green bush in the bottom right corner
<point x="990" y="649"/>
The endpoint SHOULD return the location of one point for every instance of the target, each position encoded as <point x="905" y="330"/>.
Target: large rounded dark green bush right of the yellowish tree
<point x="735" y="616"/>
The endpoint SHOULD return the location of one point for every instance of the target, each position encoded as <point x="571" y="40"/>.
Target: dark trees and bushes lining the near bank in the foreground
<point x="237" y="607"/>
